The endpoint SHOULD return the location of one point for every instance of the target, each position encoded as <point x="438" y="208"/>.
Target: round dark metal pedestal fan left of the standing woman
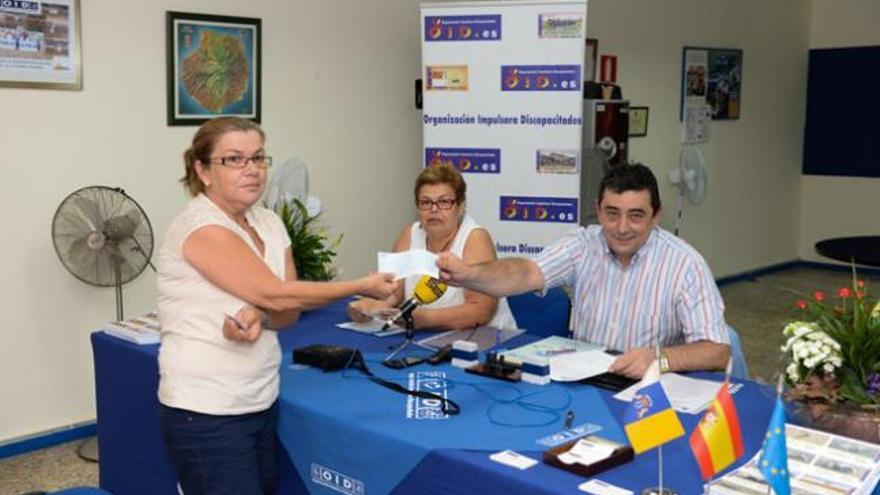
<point x="103" y="237"/>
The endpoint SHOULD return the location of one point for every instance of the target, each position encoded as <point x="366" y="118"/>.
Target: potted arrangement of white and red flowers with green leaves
<point x="833" y="349"/>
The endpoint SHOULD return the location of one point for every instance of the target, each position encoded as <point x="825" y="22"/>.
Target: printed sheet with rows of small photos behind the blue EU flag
<point x="818" y="463"/>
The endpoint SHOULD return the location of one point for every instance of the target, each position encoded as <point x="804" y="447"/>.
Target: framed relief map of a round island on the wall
<point x="214" y="67"/>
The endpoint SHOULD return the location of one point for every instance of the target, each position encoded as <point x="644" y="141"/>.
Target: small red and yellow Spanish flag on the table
<point x="717" y="440"/>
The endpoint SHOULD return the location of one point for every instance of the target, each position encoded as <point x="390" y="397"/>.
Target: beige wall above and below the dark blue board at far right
<point x="839" y="206"/>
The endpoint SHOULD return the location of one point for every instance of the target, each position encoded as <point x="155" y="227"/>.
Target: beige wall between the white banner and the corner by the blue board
<point x="750" y="217"/>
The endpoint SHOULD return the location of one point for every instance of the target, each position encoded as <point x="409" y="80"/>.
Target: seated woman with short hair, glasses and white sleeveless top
<point x="443" y="226"/>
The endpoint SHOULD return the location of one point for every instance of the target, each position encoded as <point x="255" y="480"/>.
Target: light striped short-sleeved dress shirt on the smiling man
<point x="666" y="290"/>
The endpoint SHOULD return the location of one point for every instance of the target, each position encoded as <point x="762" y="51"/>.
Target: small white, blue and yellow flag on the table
<point x="650" y="421"/>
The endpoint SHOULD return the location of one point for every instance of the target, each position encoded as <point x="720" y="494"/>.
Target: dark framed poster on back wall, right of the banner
<point x="713" y="77"/>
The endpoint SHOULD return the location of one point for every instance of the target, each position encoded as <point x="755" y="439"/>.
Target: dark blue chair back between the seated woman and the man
<point x="542" y="316"/>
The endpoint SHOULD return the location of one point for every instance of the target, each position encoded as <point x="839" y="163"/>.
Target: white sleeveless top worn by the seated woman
<point x="454" y="296"/>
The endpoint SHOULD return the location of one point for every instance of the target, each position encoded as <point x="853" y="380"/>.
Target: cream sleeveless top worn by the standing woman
<point x="199" y="369"/>
